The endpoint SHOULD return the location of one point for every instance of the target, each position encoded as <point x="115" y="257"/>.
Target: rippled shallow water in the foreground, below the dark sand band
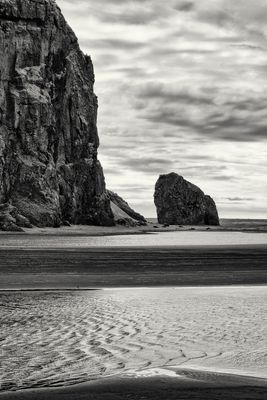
<point x="60" y="338"/>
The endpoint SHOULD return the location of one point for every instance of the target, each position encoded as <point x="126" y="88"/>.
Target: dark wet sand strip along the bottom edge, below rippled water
<point x="187" y="385"/>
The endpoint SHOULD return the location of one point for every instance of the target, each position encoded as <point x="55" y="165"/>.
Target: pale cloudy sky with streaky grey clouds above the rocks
<point x="182" y="87"/>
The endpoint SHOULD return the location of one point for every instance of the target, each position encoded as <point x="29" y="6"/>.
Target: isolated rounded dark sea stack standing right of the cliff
<point x="179" y="202"/>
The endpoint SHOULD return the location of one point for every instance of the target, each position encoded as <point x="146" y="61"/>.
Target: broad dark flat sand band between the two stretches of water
<point x="106" y="267"/>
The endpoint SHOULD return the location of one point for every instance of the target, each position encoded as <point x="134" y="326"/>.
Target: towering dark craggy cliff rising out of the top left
<point x="48" y="112"/>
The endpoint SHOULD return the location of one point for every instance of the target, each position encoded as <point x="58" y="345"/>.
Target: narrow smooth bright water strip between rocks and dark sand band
<point x="182" y="238"/>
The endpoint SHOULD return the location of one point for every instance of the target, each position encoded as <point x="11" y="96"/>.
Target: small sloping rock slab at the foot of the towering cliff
<point x="123" y="213"/>
